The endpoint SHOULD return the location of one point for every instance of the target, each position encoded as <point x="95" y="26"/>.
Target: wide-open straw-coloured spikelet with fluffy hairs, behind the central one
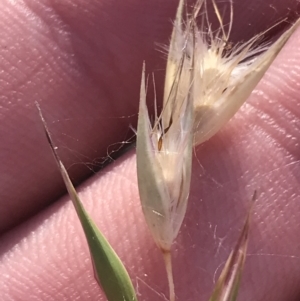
<point x="224" y="75"/>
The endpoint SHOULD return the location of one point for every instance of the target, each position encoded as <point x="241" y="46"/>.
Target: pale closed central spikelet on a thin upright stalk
<point x="164" y="157"/>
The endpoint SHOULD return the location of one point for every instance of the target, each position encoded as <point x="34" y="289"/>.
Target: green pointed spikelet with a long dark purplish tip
<point x="108" y="268"/>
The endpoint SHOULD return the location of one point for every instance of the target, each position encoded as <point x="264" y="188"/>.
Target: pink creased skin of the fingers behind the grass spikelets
<point x="82" y="62"/>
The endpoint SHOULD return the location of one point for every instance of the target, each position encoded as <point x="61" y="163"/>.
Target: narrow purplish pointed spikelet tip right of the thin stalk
<point x="227" y="286"/>
